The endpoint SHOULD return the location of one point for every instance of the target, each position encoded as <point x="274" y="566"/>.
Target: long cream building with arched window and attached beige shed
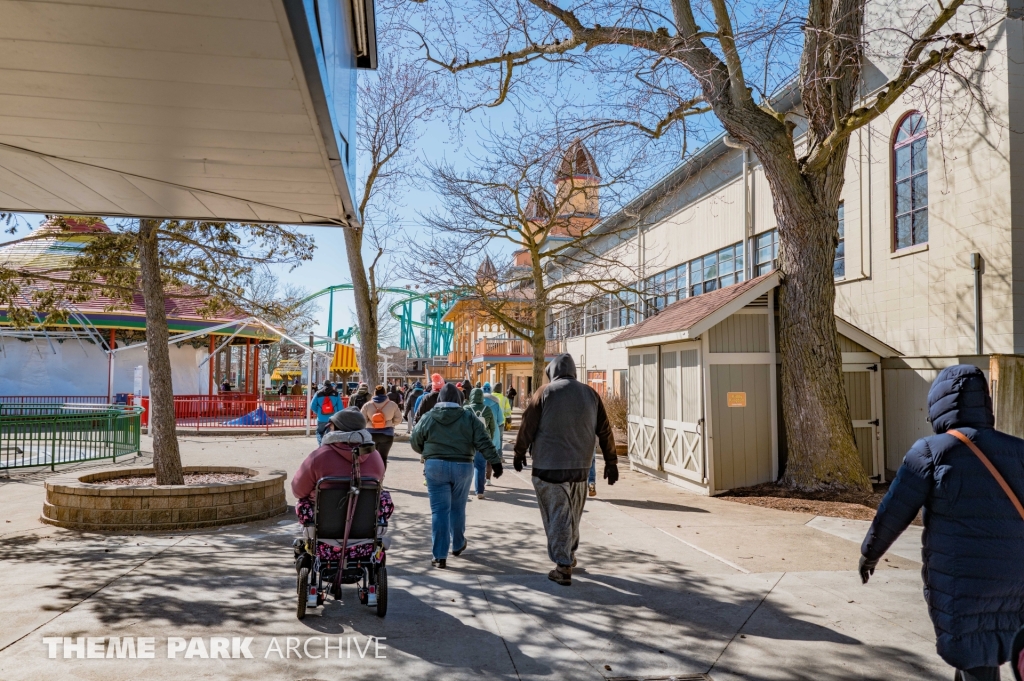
<point x="919" y="210"/>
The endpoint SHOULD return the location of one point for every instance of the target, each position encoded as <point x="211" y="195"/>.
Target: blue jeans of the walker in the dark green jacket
<point x="448" y="487"/>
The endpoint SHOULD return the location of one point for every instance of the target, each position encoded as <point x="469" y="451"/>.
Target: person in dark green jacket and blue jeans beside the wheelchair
<point x="448" y="438"/>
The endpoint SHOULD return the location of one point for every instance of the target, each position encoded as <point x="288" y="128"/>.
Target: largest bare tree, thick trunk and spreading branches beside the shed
<point x="657" y="67"/>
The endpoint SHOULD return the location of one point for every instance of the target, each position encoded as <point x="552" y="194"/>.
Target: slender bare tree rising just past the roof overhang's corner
<point x="394" y="104"/>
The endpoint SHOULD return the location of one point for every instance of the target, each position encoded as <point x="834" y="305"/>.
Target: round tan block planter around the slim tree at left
<point x="83" y="502"/>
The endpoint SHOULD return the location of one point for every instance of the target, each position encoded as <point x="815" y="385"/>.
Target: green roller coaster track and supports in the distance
<point x="436" y="338"/>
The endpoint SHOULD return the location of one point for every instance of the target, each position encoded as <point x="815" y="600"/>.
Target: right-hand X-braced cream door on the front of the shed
<point x="682" y="412"/>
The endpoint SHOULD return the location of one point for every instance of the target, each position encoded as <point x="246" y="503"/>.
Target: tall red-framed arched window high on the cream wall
<point x="911" y="182"/>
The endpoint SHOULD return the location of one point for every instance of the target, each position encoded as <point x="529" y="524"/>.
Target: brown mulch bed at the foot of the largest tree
<point x="850" y="505"/>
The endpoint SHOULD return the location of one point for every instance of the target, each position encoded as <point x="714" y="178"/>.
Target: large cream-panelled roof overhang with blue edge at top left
<point x="215" y="111"/>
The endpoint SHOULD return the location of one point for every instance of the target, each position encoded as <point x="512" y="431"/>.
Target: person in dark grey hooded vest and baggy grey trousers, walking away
<point x="560" y="429"/>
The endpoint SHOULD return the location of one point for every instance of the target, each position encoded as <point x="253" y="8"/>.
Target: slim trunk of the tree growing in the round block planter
<point x="166" y="457"/>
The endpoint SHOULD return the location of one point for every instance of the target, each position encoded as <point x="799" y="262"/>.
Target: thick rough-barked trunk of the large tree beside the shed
<point x="822" y="450"/>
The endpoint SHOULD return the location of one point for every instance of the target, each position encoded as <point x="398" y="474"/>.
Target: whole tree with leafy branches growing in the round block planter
<point x="206" y="262"/>
